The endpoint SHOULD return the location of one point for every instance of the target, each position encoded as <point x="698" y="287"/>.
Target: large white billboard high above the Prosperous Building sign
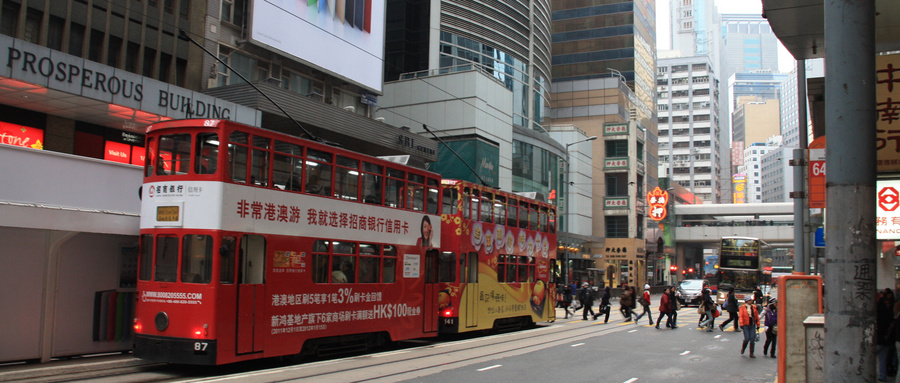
<point x="342" y="37"/>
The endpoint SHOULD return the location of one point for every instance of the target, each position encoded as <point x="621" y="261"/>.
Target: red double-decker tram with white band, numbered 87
<point x="257" y="244"/>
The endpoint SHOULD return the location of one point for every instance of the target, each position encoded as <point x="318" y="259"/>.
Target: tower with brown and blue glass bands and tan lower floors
<point x="604" y="83"/>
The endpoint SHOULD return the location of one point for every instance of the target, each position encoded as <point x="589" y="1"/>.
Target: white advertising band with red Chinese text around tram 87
<point x="218" y="206"/>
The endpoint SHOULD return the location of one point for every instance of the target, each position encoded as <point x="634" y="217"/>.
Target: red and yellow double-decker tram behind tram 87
<point x="497" y="266"/>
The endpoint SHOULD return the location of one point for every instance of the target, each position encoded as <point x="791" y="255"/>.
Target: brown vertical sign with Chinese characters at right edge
<point x="887" y="88"/>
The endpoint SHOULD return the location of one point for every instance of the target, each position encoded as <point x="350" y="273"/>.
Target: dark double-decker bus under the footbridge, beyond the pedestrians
<point x="741" y="262"/>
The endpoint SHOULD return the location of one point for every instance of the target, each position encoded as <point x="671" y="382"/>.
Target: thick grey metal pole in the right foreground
<point x="850" y="253"/>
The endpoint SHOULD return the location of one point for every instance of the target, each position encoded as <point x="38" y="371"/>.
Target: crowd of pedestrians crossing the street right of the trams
<point x="747" y="317"/>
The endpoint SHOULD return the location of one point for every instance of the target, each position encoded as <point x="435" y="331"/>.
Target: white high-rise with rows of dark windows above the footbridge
<point x="687" y="106"/>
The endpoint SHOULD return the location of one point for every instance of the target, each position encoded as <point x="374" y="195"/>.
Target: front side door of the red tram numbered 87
<point x="251" y="294"/>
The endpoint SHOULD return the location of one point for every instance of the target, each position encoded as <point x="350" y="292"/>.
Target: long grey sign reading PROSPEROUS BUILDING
<point x="59" y="71"/>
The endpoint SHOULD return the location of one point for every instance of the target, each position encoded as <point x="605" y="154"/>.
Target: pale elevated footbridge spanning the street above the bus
<point x="706" y="223"/>
